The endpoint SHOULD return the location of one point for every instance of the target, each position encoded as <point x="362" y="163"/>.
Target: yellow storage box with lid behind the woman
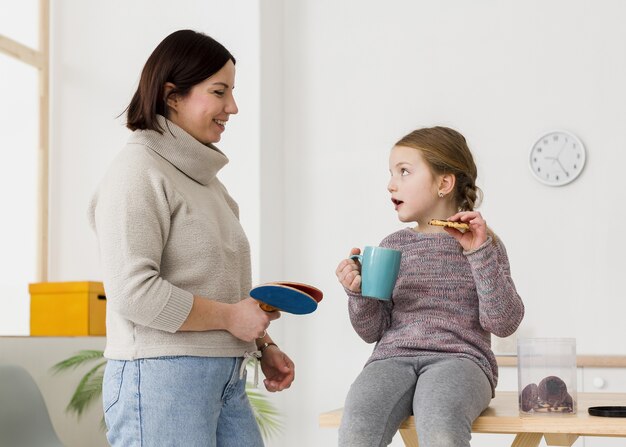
<point x="67" y="308"/>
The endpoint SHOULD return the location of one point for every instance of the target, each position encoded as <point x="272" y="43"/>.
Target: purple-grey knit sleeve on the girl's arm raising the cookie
<point x="500" y="307"/>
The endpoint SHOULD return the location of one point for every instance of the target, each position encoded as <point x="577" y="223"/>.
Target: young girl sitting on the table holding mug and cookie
<point x="432" y="356"/>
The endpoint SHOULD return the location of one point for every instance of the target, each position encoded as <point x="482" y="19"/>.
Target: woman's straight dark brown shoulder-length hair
<point x="184" y="58"/>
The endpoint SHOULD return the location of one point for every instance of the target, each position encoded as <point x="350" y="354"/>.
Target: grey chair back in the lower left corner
<point x="24" y="418"/>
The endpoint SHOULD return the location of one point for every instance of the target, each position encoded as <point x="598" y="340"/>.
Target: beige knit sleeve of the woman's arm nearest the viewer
<point x="131" y="216"/>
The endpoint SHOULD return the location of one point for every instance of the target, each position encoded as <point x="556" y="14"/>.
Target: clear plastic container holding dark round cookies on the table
<point x="546" y="370"/>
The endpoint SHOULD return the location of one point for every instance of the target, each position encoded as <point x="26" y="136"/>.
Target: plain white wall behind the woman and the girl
<point x="337" y="83"/>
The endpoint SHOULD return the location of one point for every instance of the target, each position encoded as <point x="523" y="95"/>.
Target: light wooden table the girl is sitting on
<point x="502" y="416"/>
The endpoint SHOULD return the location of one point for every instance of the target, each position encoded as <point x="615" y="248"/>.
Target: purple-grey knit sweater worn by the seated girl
<point x="446" y="302"/>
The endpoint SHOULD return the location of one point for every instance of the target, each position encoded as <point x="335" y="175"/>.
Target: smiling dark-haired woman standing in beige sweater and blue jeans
<point x="176" y="264"/>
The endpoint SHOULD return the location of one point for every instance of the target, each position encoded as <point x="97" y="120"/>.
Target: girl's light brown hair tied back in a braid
<point x="446" y="152"/>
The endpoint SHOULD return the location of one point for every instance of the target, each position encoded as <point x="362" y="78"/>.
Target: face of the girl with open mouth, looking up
<point x="414" y="189"/>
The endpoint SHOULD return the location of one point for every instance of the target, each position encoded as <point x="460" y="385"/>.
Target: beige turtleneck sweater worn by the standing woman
<point x="168" y="230"/>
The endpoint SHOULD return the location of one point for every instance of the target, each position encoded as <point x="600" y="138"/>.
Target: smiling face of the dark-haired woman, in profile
<point x="203" y="113"/>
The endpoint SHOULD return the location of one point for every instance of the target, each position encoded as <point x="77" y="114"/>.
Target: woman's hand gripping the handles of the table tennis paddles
<point x="248" y="321"/>
